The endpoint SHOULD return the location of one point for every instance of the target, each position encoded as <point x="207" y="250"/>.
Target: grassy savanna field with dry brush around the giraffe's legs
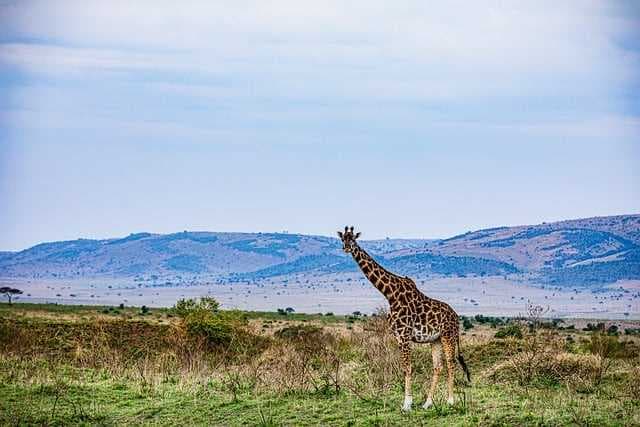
<point x="62" y="365"/>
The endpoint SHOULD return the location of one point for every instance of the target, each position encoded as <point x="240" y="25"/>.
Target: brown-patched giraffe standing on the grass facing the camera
<point x="414" y="318"/>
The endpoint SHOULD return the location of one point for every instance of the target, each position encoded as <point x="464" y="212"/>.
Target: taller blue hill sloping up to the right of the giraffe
<point x="581" y="251"/>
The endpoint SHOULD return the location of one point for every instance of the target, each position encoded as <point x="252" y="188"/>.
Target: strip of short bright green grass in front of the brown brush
<point x="96" y="398"/>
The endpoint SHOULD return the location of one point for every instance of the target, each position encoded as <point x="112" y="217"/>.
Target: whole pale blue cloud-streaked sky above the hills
<point x="411" y="120"/>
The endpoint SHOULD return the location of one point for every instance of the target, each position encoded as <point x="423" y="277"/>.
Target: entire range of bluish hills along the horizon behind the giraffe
<point x="588" y="251"/>
